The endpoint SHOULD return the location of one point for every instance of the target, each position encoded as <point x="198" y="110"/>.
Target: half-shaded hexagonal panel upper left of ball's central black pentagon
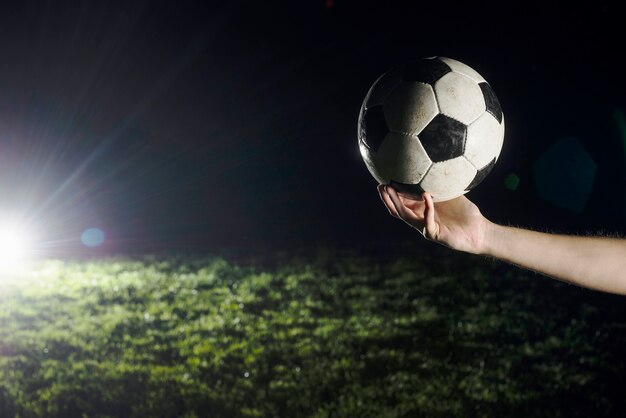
<point x="410" y="107"/>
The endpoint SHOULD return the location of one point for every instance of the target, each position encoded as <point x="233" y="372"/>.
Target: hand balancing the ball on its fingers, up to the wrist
<point x="455" y="223"/>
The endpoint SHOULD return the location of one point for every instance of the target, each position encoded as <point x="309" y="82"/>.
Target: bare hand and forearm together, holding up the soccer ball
<point x="597" y="263"/>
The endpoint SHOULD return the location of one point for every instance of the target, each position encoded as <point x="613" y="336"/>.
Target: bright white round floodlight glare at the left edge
<point x="15" y="247"/>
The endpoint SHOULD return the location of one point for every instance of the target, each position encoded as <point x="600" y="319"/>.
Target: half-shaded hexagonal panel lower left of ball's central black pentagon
<point x="401" y="158"/>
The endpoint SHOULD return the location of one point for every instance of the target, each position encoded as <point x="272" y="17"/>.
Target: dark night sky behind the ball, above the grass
<point x="181" y="125"/>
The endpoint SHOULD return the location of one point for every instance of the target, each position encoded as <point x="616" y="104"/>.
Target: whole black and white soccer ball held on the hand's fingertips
<point x="434" y="125"/>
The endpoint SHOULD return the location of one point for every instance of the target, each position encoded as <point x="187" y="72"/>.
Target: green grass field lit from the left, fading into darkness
<point x="307" y="334"/>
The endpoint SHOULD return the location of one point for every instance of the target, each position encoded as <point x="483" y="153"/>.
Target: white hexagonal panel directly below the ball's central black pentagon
<point x="448" y="179"/>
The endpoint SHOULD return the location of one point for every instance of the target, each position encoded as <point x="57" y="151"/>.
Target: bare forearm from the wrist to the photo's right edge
<point x="593" y="262"/>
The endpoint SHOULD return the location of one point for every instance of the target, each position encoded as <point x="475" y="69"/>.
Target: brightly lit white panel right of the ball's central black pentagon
<point x="484" y="140"/>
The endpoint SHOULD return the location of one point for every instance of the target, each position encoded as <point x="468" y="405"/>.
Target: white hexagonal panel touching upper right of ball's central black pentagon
<point x="459" y="97"/>
